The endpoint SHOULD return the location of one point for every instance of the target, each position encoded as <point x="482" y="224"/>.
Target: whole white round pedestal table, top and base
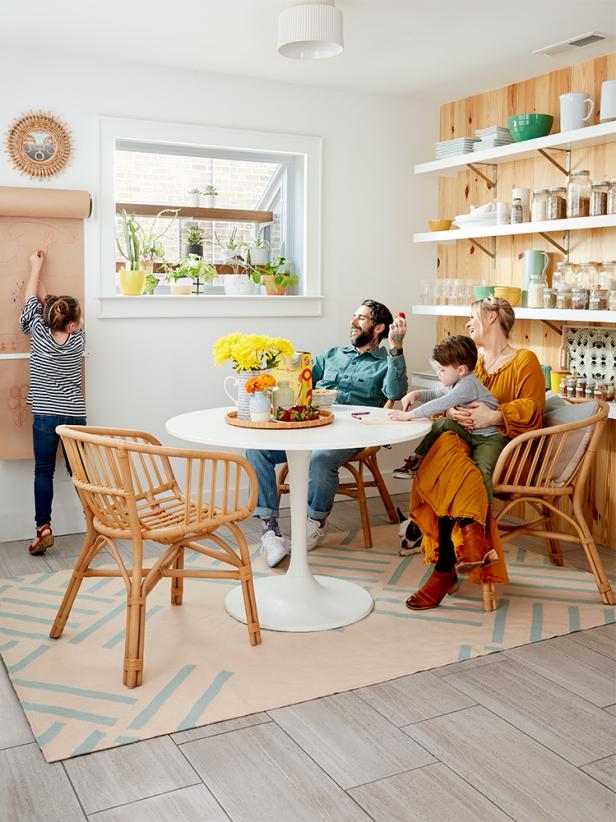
<point x="298" y="601"/>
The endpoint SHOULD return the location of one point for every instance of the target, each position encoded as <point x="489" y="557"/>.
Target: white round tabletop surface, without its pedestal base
<point x="209" y="427"/>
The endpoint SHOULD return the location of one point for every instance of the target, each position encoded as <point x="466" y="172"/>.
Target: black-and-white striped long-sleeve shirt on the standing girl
<point x="55" y="370"/>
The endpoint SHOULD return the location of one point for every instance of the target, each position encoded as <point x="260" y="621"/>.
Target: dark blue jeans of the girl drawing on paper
<point x="45" y="442"/>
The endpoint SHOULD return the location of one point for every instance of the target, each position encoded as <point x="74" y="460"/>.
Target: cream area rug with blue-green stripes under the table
<point x="200" y="667"/>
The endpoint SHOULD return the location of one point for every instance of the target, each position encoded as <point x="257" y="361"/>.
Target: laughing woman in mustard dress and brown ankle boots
<point x="448" y="486"/>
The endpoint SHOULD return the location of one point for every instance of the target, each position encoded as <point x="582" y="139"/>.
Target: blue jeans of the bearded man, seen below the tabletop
<point x="322" y="480"/>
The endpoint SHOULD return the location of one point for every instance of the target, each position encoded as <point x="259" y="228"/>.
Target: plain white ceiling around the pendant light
<point x="436" y="50"/>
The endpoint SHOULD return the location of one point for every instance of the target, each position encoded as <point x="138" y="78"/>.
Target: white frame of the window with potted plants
<point x="115" y="130"/>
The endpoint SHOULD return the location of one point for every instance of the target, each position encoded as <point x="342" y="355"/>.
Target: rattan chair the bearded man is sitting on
<point x="356" y="488"/>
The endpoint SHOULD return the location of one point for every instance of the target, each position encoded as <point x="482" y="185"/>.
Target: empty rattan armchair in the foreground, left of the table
<point x="129" y="492"/>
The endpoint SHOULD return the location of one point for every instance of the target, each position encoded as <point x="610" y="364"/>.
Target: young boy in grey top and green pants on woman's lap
<point x="456" y="358"/>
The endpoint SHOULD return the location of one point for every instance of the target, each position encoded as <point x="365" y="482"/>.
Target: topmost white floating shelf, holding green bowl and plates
<point x="579" y="138"/>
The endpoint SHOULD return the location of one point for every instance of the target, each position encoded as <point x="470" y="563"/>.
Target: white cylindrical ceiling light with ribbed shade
<point x="310" y="30"/>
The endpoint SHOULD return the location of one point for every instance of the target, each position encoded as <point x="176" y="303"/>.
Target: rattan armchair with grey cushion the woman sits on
<point x="530" y="470"/>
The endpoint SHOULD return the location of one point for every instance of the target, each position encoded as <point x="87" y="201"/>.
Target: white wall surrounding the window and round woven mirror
<point x="141" y="372"/>
